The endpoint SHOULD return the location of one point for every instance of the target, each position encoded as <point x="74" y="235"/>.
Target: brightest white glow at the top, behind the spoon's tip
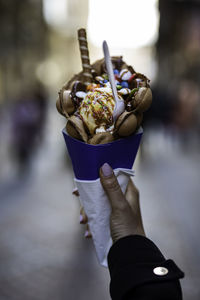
<point x="124" y="24"/>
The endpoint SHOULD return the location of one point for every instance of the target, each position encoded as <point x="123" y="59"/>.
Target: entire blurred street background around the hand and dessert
<point x="43" y="252"/>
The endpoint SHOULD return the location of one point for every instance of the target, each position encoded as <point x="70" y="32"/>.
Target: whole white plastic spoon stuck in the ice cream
<point x="119" y="104"/>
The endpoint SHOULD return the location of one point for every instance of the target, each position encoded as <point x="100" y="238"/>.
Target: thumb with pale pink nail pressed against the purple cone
<point x="112" y="187"/>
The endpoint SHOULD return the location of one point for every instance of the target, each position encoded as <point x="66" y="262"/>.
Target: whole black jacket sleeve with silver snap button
<point x="139" y="271"/>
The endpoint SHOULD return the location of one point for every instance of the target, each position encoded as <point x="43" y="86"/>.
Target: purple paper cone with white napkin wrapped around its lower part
<point x="87" y="160"/>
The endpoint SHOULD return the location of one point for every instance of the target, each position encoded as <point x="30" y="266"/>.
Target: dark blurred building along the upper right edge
<point x="176" y="89"/>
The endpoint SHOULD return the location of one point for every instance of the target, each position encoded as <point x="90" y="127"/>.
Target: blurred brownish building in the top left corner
<point x="24" y="44"/>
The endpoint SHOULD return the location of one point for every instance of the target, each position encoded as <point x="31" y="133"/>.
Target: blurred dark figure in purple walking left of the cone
<point x="28" y="120"/>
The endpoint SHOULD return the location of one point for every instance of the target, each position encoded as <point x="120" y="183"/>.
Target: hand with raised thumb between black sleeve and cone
<point x="125" y="216"/>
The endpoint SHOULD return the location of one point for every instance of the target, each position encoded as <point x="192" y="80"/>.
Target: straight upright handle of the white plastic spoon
<point x="109" y="68"/>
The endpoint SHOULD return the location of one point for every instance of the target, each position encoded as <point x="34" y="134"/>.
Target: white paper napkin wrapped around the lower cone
<point x="97" y="209"/>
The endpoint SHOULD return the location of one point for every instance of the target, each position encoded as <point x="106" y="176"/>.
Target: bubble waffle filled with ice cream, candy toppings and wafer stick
<point x="88" y="104"/>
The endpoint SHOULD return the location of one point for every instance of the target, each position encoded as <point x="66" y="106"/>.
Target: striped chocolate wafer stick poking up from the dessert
<point x="83" y="45"/>
